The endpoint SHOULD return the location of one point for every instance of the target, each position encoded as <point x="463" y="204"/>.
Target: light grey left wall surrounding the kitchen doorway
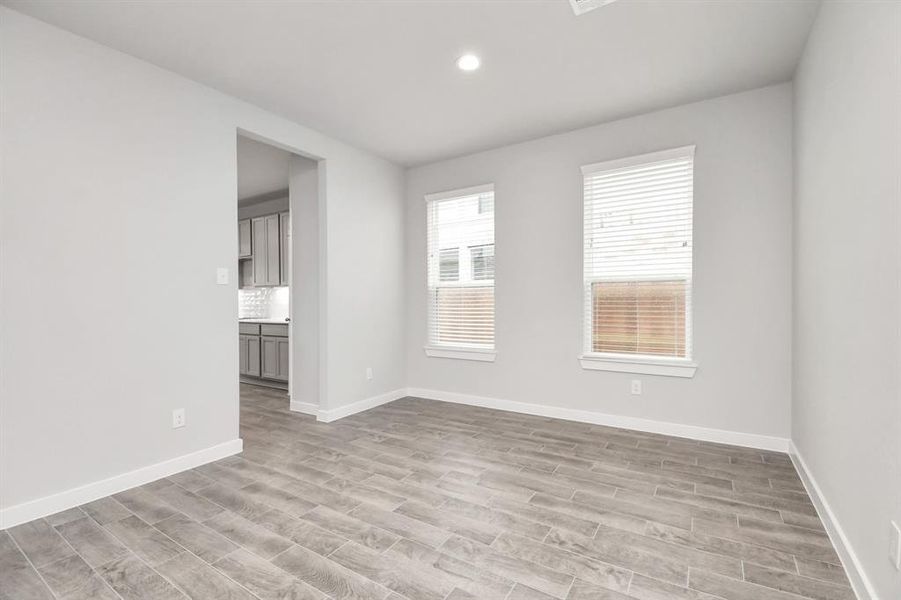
<point x="122" y="176"/>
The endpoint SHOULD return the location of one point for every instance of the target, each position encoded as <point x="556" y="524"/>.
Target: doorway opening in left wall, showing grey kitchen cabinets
<point x="277" y="228"/>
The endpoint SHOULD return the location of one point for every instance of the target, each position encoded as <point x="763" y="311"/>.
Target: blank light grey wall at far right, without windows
<point x="846" y="418"/>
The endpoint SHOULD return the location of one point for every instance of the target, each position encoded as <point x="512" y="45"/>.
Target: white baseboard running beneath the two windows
<point x="735" y="438"/>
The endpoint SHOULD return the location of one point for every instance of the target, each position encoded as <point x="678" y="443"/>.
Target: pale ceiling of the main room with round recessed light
<point x="380" y="74"/>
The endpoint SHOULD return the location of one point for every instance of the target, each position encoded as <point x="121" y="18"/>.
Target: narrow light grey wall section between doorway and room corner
<point x="365" y="304"/>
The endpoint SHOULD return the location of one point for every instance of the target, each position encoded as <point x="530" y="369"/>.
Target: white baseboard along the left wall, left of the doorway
<point x="48" y="505"/>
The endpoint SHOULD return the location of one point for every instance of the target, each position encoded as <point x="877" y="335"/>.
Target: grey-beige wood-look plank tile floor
<point x="422" y="500"/>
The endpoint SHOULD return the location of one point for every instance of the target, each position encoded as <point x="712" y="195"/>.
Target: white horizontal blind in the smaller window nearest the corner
<point x="460" y="233"/>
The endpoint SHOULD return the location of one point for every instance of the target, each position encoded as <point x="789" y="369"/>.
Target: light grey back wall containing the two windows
<point x="742" y="268"/>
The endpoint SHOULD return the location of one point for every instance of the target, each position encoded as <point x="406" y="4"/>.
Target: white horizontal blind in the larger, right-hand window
<point x="638" y="255"/>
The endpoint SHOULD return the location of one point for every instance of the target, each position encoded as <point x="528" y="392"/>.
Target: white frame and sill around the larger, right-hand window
<point x="637" y="363"/>
